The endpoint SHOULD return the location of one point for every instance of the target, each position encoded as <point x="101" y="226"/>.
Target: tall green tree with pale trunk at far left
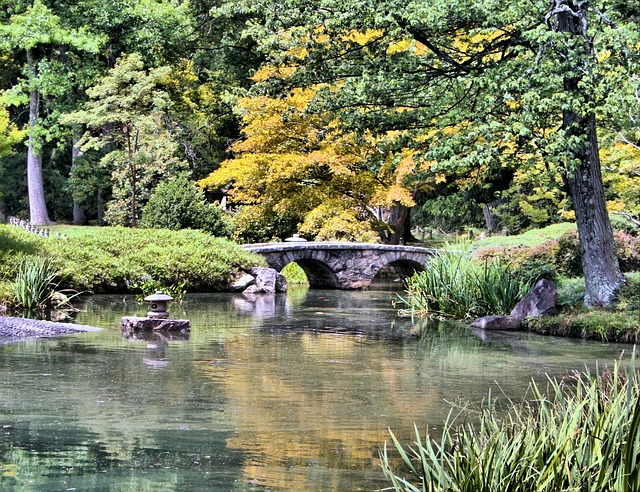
<point x="42" y="36"/>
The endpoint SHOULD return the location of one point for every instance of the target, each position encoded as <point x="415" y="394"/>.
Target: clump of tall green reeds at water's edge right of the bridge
<point x="455" y="285"/>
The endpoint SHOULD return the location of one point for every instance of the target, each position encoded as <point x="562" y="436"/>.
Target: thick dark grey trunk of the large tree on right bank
<point x="600" y="266"/>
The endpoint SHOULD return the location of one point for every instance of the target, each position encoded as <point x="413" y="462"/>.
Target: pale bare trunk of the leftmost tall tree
<point x="35" y="182"/>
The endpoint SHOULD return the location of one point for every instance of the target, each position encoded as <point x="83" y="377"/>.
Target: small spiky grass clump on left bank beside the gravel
<point x="35" y="282"/>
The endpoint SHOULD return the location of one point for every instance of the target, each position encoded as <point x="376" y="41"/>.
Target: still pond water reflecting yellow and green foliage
<point x="291" y="392"/>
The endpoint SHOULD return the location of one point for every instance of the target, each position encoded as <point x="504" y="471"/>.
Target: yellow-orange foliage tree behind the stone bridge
<point x="295" y="171"/>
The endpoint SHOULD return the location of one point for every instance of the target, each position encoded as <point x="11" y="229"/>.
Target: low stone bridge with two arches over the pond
<point x="341" y="265"/>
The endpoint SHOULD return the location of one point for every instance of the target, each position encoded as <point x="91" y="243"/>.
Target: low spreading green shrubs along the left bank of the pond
<point x="107" y="259"/>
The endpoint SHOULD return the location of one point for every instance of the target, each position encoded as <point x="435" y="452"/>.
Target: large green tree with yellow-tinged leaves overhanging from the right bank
<point x="475" y="85"/>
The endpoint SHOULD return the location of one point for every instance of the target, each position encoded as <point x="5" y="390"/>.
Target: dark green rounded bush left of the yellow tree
<point x="179" y="204"/>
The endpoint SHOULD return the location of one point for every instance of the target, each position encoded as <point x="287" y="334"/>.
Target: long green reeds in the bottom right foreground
<point x="583" y="436"/>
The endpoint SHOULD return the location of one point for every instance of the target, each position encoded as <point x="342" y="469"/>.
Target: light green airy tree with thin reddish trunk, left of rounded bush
<point x="127" y="119"/>
